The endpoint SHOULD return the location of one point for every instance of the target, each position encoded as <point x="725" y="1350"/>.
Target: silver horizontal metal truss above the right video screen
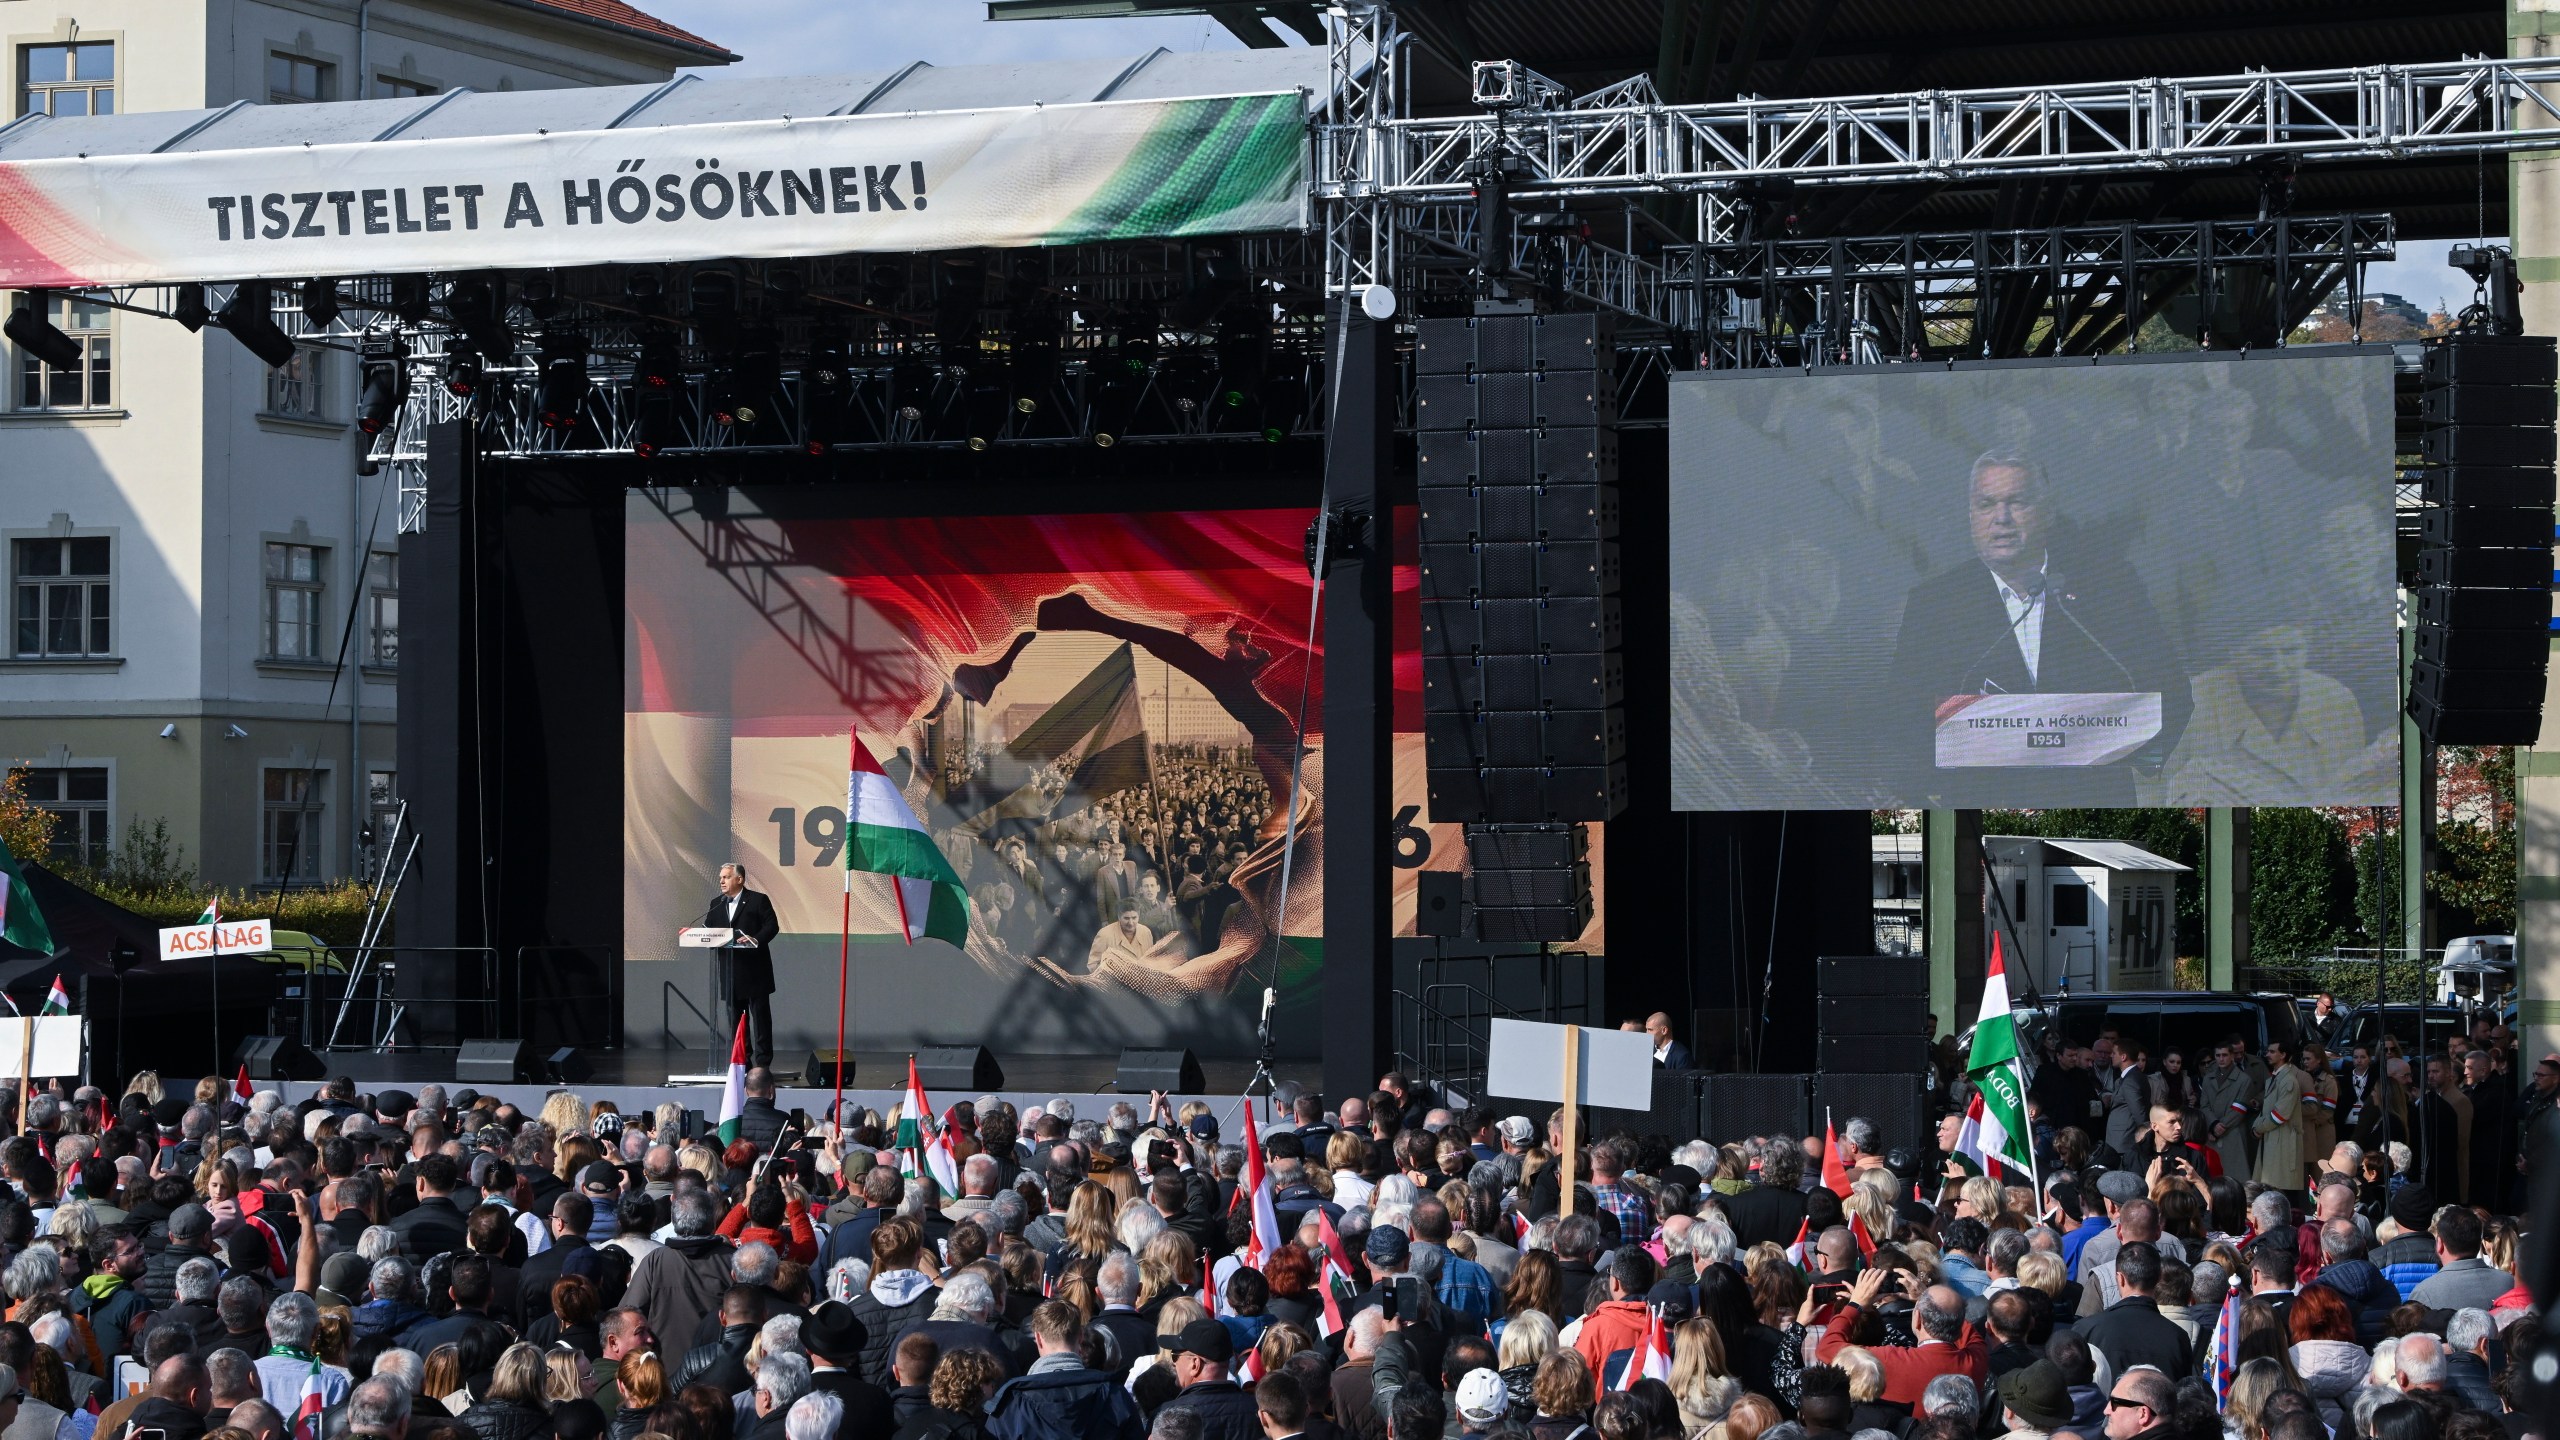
<point x="2467" y="106"/>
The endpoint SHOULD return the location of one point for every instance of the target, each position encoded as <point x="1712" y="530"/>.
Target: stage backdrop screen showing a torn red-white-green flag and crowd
<point x="1097" y="716"/>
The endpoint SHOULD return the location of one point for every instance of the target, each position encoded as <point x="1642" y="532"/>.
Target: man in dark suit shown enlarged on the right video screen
<point x="2024" y="619"/>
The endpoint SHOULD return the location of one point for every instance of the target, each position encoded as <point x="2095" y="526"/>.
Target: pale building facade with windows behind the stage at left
<point x="204" y="591"/>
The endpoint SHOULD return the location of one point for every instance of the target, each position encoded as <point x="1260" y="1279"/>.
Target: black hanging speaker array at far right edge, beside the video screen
<point x="2484" y="601"/>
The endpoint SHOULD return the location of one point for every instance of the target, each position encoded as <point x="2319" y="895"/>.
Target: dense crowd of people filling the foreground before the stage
<point x="454" y="1267"/>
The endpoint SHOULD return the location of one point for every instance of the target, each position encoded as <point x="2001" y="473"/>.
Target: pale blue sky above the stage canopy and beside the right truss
<point x="797" y="37"/>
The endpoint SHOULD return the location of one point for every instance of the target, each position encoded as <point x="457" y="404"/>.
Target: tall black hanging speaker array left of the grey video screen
<point x="1524" y="737"/>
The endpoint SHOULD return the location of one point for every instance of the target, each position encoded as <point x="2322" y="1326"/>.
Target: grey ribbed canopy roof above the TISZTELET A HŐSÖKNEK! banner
<point x="685" y="101"/>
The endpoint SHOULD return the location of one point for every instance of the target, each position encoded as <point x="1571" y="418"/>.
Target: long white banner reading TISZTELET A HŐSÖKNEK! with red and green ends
<point x="754" y="188"/>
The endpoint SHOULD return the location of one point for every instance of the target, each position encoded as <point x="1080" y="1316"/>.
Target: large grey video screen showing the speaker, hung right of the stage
<point x="2029" y="585"/>
